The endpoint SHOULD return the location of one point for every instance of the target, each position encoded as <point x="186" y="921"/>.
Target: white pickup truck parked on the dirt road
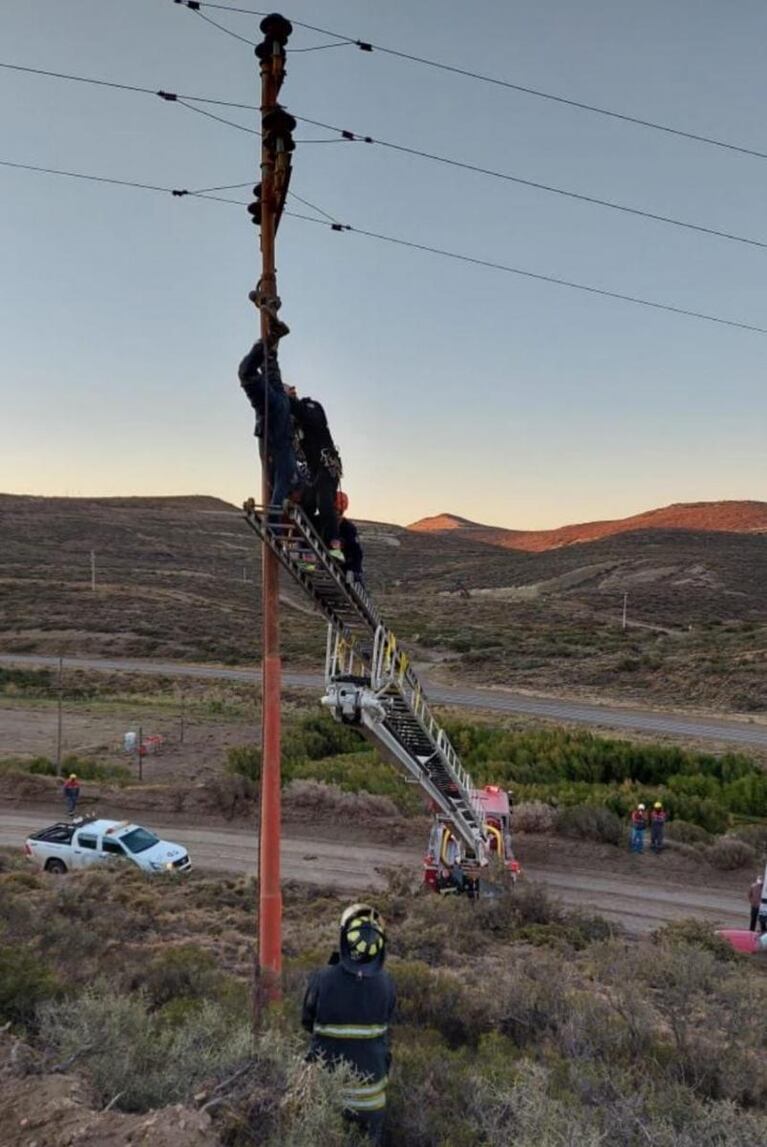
<point x="87" y="840"/>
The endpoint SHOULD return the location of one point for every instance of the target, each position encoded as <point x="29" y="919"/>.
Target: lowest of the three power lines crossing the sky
<point x="412" y="245"/>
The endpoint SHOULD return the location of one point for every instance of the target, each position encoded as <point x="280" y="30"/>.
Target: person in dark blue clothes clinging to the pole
<point x="262" y="381"/>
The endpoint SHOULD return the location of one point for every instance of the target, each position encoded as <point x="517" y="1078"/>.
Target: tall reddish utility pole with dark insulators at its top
<point x="277" y="145"/>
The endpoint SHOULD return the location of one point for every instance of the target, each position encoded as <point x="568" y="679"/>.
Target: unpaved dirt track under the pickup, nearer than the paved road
<point x="640" y="904"/>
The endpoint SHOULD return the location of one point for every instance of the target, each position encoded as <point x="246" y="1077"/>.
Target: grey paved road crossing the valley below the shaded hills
<point x="722" y="731"/>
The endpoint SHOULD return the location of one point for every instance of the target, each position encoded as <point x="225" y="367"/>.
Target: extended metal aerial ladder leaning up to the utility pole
<point x="371" y="684"/>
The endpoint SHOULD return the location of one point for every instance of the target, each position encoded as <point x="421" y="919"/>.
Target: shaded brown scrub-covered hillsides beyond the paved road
<point x="181" y="579"/>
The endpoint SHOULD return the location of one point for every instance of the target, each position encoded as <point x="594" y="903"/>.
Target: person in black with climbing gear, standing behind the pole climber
<point x="325" y="467"/>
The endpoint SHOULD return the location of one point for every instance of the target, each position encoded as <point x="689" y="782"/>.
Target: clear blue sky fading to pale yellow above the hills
<point x="449" y="387"/>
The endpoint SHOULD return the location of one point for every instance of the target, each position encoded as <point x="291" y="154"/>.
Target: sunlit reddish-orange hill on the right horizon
<point x="718" y="518"/>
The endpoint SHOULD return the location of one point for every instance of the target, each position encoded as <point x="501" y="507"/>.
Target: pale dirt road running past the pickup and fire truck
<point x="639" y="892"/>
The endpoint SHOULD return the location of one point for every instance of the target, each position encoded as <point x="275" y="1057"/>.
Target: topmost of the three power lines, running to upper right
<point x="497" y="82"/>
